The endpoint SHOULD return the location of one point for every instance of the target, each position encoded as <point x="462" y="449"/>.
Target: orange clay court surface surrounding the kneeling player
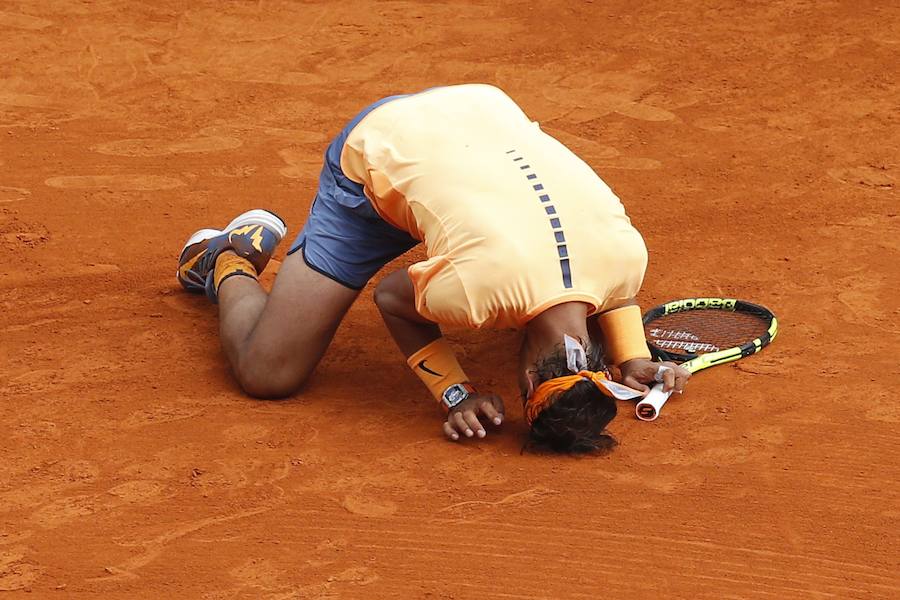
<point x="755" y="146"/>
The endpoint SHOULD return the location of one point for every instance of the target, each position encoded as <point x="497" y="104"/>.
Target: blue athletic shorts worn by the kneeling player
<point x="344" y="238"/>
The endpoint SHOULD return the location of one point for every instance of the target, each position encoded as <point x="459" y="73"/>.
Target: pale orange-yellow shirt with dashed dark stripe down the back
<point x="512" y="221"/>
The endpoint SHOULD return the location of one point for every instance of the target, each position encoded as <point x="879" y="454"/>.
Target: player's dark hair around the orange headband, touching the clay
<point x="575" y="420"/>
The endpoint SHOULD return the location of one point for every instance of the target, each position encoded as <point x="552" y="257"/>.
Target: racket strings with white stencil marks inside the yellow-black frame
<point x="703" y="331"/>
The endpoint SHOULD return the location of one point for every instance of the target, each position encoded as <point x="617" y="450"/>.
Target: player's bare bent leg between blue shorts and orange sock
<point x="275" y="341"/>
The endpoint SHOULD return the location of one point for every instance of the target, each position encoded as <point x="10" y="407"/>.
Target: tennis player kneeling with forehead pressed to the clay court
<point x="518" y="231"/>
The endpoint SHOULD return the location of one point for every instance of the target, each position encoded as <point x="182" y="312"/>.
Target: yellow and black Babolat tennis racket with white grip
<point x="700" y="333"/>
